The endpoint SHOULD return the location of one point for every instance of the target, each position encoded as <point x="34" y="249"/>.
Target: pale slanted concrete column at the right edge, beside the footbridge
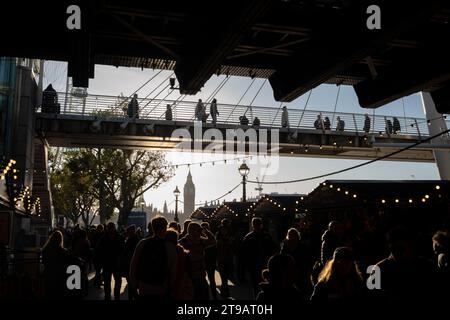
<point x="437" y="124"/>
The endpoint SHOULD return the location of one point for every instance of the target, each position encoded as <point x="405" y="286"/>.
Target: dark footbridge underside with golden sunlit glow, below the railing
<point x="72" y="131"/>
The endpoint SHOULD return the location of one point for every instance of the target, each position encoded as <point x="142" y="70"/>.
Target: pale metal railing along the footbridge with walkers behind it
<point x="113" y="107"/>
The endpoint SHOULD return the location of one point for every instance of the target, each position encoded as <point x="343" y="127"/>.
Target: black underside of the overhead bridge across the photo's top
<point x="297" y="45"/>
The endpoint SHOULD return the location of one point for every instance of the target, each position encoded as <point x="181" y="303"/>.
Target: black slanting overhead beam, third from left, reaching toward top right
<point x="348" y="41"/>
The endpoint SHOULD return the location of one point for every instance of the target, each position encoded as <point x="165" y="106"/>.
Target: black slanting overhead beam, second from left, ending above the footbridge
<point x="213" y="39"/>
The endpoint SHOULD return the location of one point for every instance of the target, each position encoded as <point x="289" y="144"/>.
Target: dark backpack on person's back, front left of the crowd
<point x="153" y="266"/>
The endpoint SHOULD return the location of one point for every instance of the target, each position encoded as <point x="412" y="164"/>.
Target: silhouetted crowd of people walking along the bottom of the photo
<point x="174" y="264"/>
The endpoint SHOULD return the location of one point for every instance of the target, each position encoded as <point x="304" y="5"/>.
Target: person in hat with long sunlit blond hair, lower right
<point x="340" y="280"/>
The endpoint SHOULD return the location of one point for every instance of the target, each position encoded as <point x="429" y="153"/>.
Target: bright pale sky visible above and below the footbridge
<point x="213" y="181"/>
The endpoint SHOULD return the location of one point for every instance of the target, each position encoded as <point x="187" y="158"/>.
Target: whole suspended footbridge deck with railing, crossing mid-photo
<point x="74" y="128"/>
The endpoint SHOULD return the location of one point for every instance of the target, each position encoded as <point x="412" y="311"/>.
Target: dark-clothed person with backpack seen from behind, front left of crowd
<point x="153" y="266"/>
